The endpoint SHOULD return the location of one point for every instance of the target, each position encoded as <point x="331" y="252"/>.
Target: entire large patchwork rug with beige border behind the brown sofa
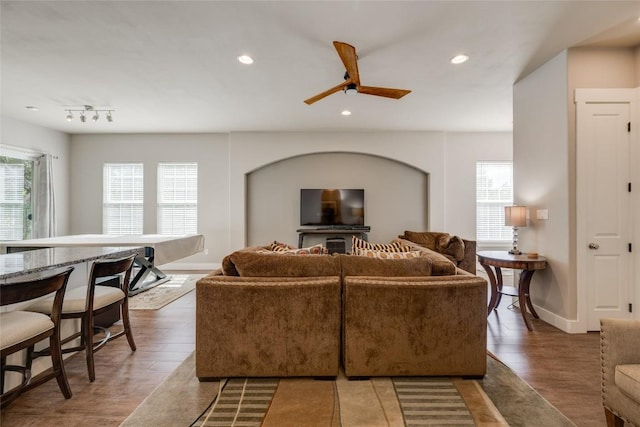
<point x="501" y="398"/>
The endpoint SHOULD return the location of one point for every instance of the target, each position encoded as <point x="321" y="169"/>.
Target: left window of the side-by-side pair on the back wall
<point x="122" y="190"/>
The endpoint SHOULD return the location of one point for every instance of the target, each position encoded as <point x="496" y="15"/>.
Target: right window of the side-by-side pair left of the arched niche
<point x="177" y="198"/>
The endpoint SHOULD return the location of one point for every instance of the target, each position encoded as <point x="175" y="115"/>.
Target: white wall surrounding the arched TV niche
<point x="426" y="151"/>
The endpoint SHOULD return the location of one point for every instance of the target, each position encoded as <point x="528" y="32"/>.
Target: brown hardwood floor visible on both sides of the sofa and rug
<point x="564" y="368"/>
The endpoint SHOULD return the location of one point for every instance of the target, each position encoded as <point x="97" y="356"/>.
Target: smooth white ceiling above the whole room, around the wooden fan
<point x="170" y="66"/>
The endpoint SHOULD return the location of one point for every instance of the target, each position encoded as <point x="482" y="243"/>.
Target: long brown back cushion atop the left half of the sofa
<point x="274" y="264"/>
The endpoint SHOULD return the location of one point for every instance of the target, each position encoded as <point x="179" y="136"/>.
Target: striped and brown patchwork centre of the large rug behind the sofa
<point x="342" y="403"/>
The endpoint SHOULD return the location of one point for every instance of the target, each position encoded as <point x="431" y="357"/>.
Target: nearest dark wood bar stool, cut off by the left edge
<point x="21" y="330"/>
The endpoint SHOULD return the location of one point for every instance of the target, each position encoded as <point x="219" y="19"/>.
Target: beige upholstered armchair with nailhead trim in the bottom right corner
<point x="620" y="356"/>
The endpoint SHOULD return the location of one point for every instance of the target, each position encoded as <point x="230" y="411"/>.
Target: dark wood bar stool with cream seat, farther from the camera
<point x="86" y="302"/>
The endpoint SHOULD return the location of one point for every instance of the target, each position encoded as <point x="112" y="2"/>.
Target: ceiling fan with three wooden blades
<point x="351" y="83"/>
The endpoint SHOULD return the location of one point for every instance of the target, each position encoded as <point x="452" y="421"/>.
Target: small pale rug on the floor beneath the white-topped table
<point x="164" y="293"/>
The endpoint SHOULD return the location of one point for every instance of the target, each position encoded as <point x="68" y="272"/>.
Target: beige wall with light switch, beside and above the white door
<point x="545" y="163"/>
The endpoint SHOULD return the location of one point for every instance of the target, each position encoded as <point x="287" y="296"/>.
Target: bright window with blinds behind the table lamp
<point x="494" y="191"/>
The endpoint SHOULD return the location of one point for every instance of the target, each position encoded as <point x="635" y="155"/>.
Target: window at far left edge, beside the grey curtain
<point x="16" y="181"/>
